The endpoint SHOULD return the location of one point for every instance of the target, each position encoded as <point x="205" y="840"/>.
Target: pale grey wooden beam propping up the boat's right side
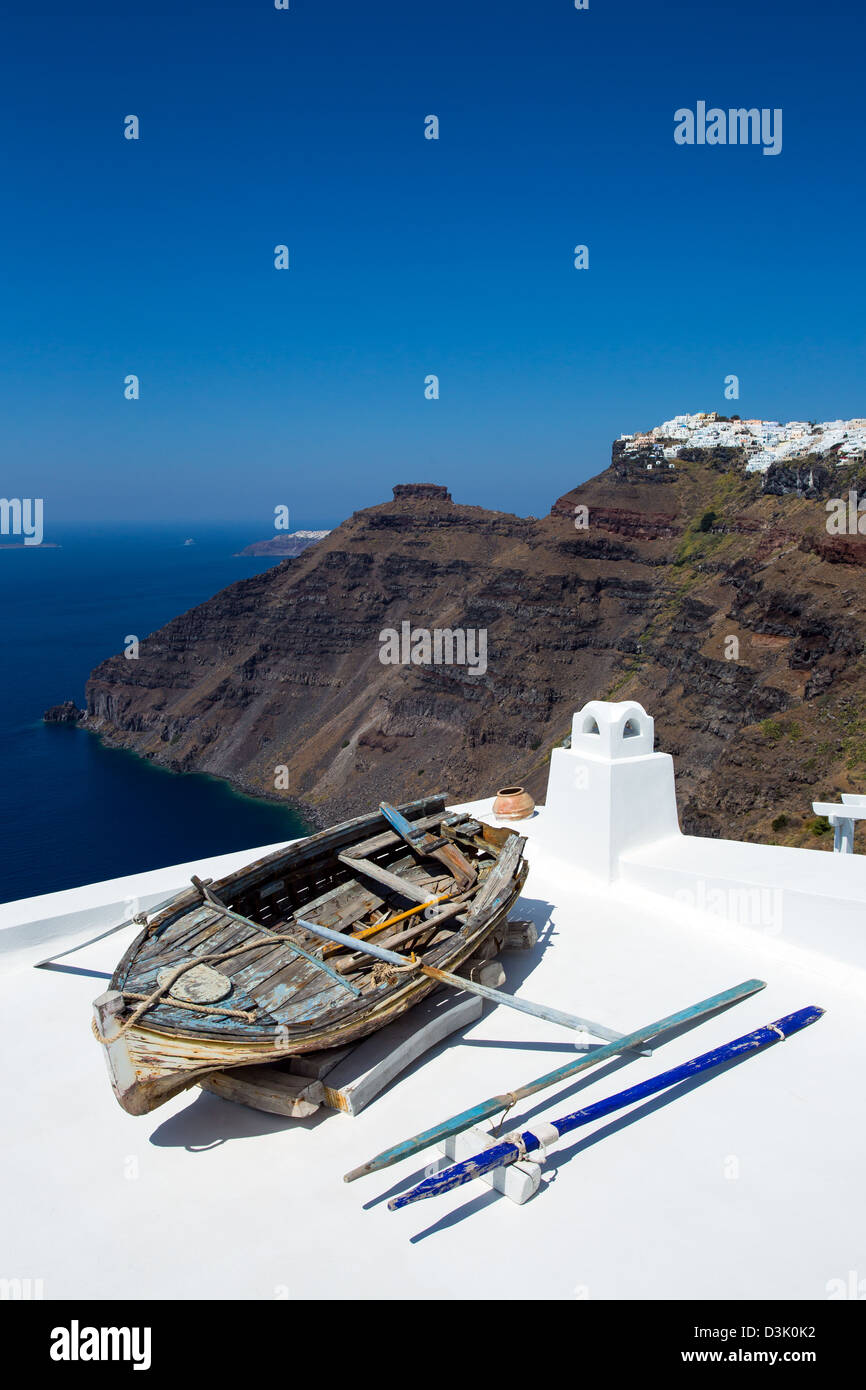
<point x="377" y="1060"/>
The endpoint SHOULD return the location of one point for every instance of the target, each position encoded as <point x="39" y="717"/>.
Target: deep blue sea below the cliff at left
<point x="72" y="811"/>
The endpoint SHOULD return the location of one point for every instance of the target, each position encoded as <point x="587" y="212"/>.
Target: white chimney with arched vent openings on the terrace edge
<point x="610" y="792"/>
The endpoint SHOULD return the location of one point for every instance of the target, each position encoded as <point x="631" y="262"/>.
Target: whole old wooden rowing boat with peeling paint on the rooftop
<point x="226" y="975"/>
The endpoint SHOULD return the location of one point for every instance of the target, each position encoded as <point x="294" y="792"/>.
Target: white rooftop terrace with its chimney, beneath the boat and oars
<point x="747" y="1186"/>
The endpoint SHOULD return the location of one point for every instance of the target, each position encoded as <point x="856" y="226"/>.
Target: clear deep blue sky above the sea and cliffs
<point x="411" y="256"/>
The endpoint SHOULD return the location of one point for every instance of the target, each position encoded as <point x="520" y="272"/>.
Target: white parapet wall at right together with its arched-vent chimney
<point x="612" y="815"/>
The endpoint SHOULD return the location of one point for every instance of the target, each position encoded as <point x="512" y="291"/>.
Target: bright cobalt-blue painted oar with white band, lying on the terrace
<point x="543" y="1135"/>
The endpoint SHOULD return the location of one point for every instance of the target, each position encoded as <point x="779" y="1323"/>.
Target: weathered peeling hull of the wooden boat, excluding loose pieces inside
<point x="295" y="1008"/>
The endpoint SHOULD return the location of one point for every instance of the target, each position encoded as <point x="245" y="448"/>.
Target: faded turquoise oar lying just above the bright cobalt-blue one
<point x="497" y="1104"/>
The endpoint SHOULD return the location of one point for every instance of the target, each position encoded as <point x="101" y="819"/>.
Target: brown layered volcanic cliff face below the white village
<point x="712" y="596"/>
